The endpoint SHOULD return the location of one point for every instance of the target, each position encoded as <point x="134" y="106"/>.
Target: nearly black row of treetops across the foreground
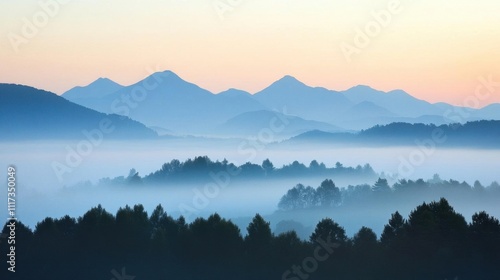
<point x="434" y="242"/>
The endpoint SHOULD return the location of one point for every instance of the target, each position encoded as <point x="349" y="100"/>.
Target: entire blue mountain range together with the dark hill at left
<point x="164" y="103"/>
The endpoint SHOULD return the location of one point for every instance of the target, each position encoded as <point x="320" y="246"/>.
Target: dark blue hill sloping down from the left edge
<point x="29" y="113"/>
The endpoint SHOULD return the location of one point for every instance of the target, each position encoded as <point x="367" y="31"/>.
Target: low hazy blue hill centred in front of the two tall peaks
<point x="276" y="124"/>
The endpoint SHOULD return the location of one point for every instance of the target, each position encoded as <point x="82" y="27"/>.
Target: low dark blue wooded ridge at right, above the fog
<point x="476" y="134"/>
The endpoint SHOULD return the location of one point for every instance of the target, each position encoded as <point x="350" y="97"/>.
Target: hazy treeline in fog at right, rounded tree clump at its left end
<point x="329" y="195"/>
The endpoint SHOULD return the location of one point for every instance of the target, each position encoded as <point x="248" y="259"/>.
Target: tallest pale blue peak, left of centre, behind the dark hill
<point x="166" y="100"/>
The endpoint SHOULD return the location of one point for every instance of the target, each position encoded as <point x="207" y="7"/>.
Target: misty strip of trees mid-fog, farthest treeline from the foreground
<point x="203" y="169"/>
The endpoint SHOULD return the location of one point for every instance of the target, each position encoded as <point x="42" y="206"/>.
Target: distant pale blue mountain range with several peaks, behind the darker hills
<point x="167" y="101"/>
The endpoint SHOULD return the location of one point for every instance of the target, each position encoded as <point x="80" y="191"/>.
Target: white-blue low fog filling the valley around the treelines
<point x="42" y="191"/>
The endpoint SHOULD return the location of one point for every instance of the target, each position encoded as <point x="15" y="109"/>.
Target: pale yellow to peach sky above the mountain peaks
<point x="438" y="51"/>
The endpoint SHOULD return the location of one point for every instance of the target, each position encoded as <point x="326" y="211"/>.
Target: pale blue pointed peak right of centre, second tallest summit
<point x="313" y="103"/>
